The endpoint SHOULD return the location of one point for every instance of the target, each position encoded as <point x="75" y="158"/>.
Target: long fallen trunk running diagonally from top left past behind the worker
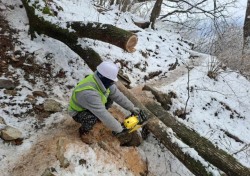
<point x="92" y="59"/>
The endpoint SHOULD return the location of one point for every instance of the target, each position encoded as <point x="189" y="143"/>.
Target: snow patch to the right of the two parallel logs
<point x="215" y="107"/>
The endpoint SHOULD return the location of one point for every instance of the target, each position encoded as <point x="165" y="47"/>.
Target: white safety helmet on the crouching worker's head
<point x="108" y="70"/>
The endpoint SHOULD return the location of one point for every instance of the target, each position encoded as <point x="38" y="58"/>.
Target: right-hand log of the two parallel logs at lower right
<point x="204" y="147"/>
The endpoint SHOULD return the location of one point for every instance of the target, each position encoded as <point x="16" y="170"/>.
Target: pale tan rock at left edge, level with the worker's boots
<point x="10" y="133"/>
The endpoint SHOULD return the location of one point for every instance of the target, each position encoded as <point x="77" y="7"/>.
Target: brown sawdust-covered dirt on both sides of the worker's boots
<point x="34" y="162"/>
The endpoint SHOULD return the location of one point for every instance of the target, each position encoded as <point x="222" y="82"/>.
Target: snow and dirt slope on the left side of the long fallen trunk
<point x="53" y="71"/>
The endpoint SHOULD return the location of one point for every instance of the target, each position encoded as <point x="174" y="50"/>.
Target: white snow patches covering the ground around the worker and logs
<point x="156" y="51"/>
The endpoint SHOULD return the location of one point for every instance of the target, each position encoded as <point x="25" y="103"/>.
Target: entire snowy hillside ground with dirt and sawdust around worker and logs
<point x="45" y="68"/>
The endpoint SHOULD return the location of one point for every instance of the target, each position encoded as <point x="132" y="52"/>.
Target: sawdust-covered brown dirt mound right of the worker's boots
<point x="128" y="156"/>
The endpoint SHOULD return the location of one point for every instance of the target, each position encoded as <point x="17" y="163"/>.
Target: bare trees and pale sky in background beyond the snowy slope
<point x="206" y="18"/>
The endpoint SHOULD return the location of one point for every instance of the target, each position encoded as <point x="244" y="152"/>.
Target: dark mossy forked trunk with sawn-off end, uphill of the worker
<point x="92" y="58"/>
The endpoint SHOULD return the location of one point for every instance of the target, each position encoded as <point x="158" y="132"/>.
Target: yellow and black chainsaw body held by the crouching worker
<point x="135" y="122"/>
